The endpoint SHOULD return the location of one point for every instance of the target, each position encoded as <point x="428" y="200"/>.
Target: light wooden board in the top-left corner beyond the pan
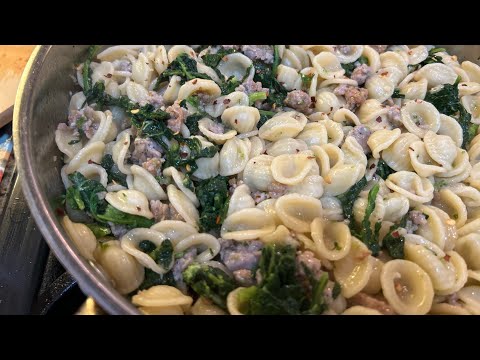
<point x="13" y="59"/>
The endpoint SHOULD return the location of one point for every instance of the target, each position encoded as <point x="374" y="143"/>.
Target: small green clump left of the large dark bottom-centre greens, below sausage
<point x="209" y="282"/>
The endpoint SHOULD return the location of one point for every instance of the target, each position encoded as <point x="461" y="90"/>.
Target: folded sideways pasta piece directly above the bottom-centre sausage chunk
<point x="247" y="224"/>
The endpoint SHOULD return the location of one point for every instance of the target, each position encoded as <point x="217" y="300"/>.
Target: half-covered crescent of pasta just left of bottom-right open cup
<point x="354" y="270"/>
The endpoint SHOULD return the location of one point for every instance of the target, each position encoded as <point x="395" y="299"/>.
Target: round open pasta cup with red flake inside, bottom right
<point x="407" y="287"/>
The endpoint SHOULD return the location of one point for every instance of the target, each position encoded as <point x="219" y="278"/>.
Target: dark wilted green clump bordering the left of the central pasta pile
<point x="213" y="197"/>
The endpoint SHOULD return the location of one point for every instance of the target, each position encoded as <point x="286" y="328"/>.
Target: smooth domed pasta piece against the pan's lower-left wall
<point x="122" y="268"/>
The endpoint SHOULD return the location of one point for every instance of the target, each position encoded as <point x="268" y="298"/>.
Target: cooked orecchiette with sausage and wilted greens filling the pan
<point x="285" y="179"/>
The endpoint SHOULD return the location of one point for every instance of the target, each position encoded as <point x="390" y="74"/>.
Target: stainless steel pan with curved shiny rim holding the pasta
<point x="41" y="103"/>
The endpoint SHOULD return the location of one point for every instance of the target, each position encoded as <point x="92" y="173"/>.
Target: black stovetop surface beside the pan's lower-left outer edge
<point x="32" y="281"/>
